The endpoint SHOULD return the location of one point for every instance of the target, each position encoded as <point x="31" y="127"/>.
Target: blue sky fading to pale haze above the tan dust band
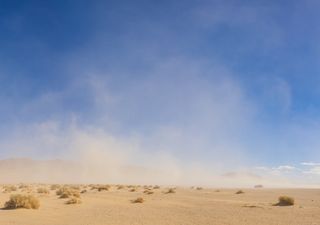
<point x="214" y="83"/>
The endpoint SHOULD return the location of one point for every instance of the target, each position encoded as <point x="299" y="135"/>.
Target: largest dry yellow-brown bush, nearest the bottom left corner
<point x="22" y="201"/>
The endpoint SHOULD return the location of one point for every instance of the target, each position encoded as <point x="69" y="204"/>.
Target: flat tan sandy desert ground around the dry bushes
<point x="185" y="207"/>
